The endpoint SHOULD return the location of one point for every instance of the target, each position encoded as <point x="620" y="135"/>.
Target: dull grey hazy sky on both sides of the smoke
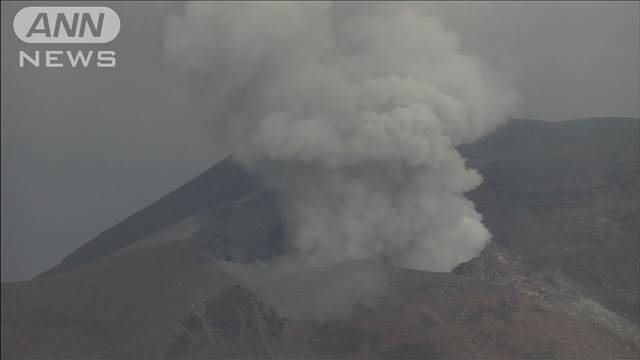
<point x="85" y="148"/>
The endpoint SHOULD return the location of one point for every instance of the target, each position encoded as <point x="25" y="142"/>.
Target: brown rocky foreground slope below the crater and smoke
<point x="167" y="301"/>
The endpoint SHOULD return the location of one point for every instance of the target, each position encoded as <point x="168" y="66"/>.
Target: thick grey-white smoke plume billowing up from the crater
<point x="356" y="113"/>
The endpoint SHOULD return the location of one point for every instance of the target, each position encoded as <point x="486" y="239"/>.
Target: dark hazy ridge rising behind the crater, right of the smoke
<point x="564" y="196"/>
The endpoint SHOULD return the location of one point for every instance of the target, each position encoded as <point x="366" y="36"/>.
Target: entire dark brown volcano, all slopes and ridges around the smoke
<point x="185" y="277"/>
